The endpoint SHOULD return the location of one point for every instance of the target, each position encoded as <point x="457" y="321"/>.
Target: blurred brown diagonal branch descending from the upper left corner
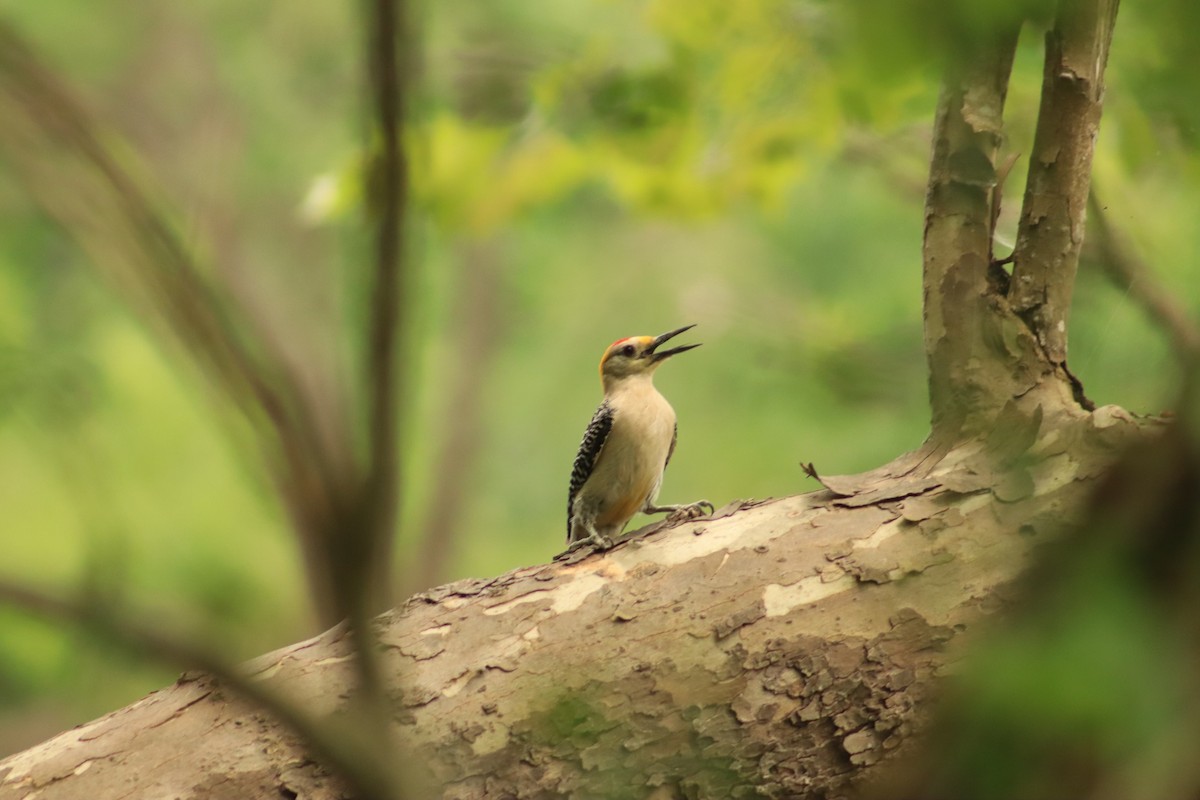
<point x="92" y="188"/>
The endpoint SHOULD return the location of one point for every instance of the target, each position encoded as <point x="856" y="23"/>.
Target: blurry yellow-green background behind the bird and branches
<point x="584" y="171"/>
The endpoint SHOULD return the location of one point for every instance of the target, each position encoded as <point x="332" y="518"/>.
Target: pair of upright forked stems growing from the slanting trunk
<point x="997" y="344"/>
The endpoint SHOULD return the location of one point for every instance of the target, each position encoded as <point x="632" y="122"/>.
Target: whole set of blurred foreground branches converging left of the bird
<point x="344" y="508"/>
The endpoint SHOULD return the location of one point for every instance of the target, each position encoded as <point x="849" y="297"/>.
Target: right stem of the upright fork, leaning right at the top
<point x="1051" y="232"/>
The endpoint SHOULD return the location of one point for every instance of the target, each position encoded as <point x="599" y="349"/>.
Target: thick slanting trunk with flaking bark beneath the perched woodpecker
<point x="782" y="649"/>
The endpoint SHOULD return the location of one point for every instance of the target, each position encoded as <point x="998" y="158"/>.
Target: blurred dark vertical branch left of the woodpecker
<point x="359" y="551"/>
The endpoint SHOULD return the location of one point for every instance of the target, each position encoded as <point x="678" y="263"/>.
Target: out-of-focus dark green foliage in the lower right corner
<point x="1093" y="684"/>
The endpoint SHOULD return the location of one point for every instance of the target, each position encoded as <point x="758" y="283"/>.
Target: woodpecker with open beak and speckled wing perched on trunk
<point x="627" y="447"/>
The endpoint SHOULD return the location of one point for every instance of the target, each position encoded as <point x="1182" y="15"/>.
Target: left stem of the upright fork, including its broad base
<point x="986" y="363"/>
